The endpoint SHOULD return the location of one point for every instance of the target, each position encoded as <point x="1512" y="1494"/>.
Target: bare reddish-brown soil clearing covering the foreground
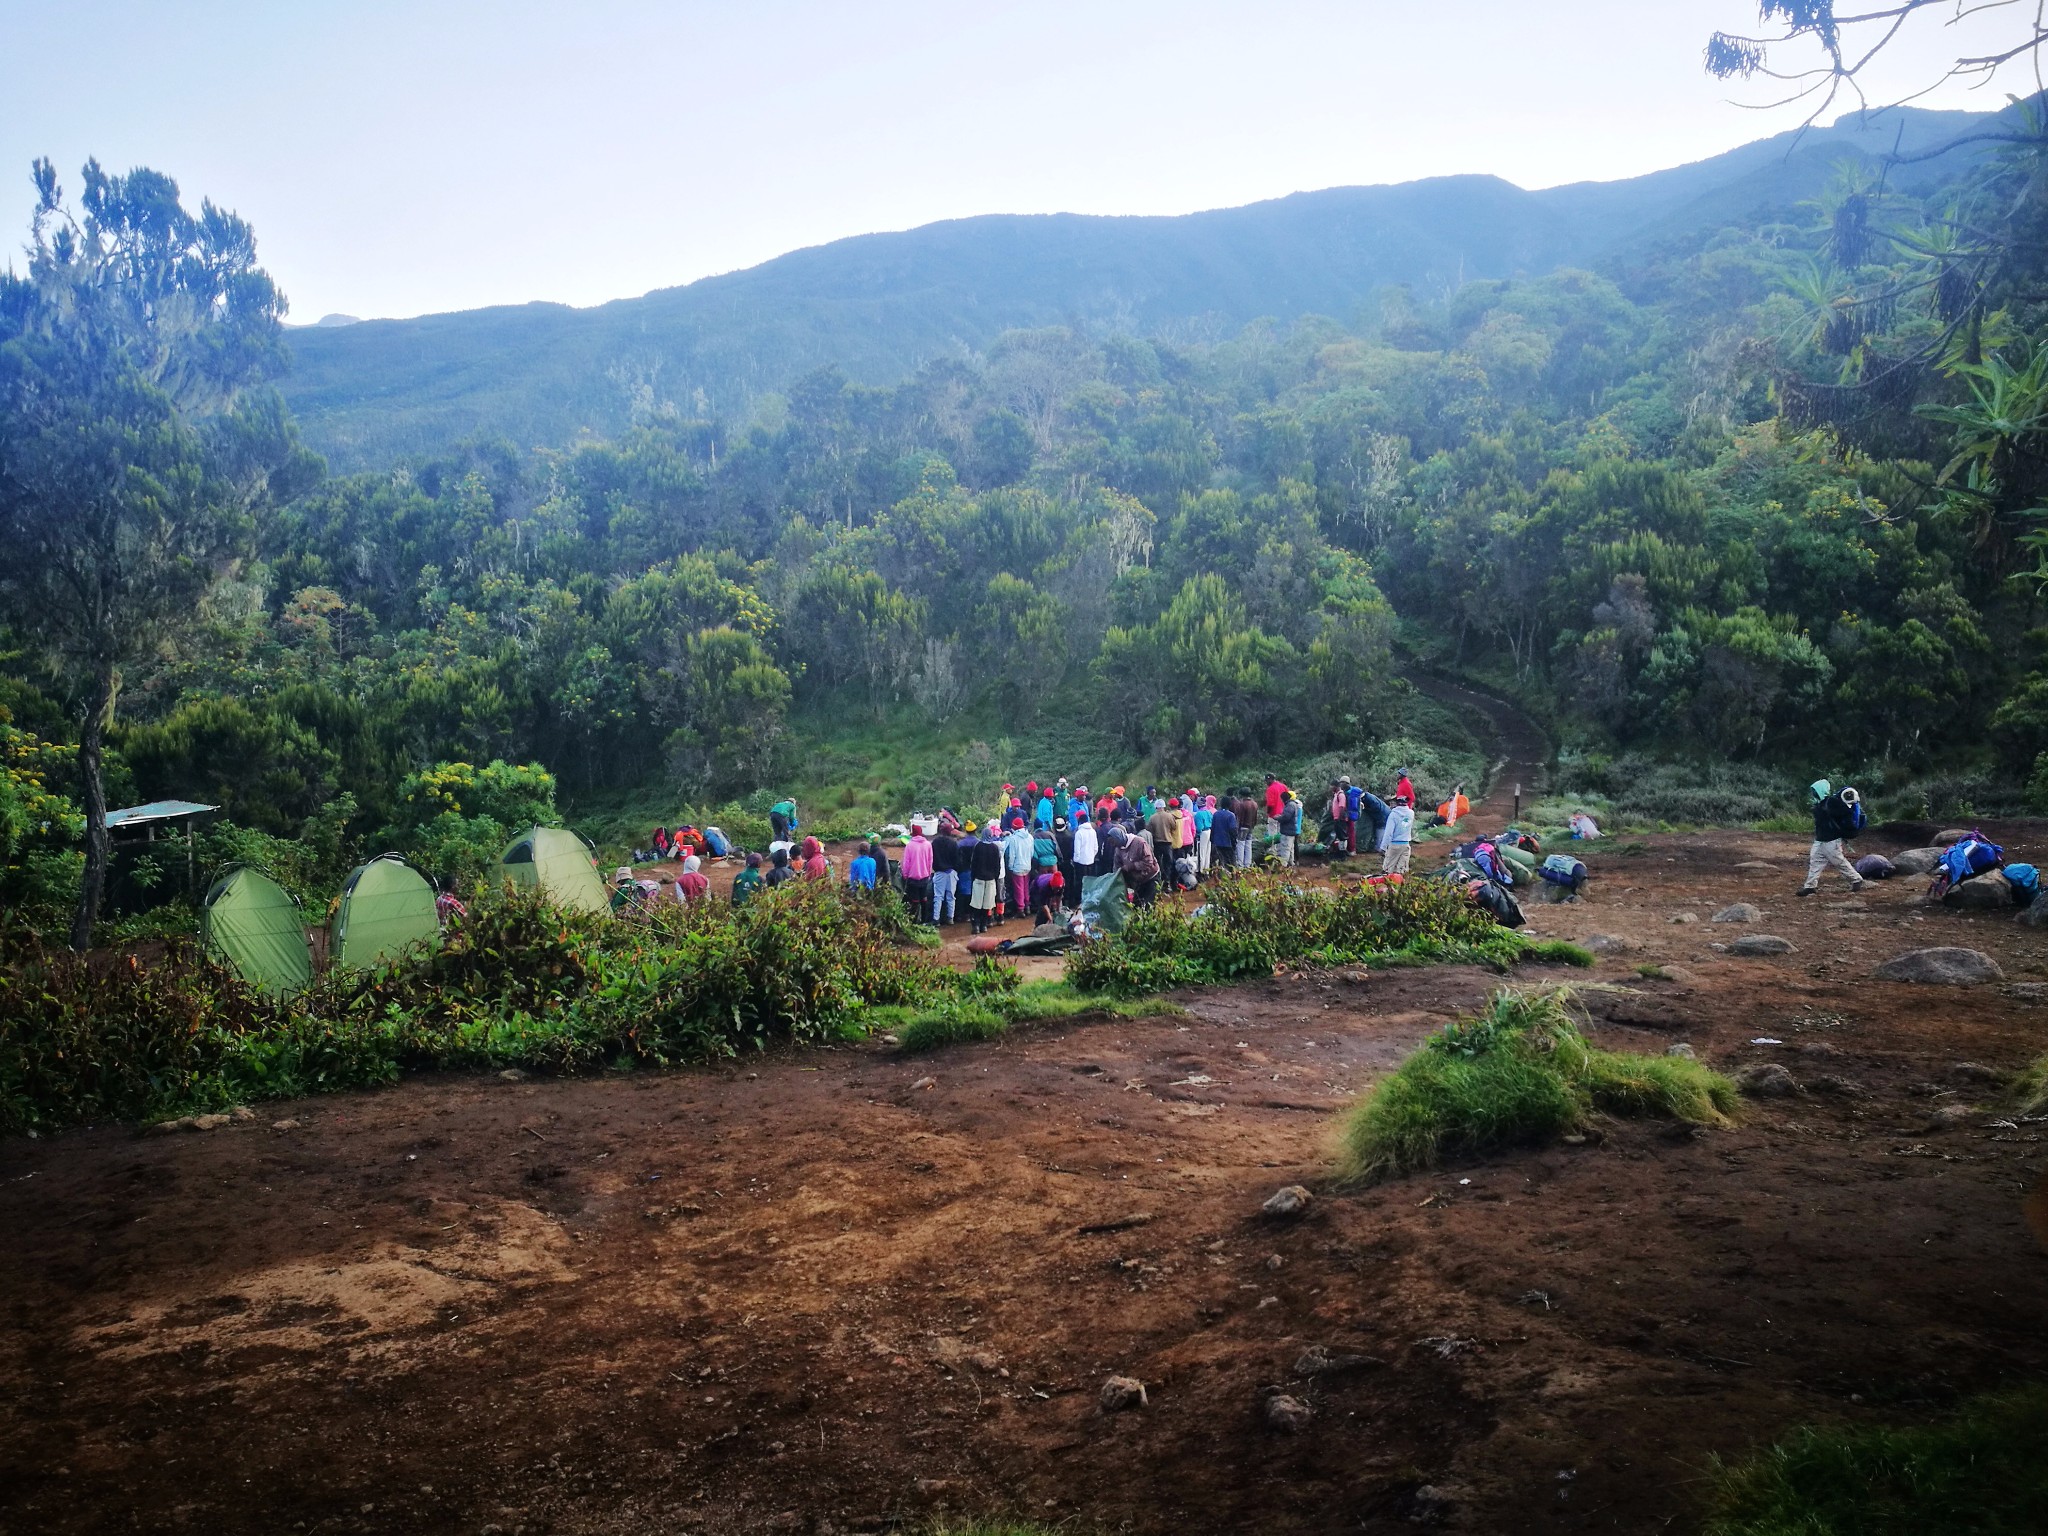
<point x="822" y="1293"/>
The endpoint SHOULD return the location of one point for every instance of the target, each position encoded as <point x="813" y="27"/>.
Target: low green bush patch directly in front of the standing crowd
<point x="1258" y="921"/>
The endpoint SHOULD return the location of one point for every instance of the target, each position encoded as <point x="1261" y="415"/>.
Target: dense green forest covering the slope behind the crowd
<point x="1758" y="495"/>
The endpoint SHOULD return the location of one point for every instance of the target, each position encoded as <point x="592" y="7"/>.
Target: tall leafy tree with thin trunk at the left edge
<point x="132" y="439"/>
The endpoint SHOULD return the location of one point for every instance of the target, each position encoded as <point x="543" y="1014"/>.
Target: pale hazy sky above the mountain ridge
<point x="435" y="155"/>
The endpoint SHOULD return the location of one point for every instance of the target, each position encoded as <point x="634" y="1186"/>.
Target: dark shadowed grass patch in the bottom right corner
<point x="1979" y="1471"/>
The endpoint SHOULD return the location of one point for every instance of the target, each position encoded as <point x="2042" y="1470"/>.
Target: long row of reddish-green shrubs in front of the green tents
<point x="519" y="984"/>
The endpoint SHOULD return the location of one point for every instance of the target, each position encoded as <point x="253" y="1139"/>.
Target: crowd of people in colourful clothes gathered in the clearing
<point x="1035" y="851"/>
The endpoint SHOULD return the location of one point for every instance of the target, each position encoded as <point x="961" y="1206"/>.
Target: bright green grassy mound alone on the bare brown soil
<point x="1519" y="1072"/>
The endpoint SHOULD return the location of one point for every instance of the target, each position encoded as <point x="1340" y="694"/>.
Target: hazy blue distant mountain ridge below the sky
<point x="882" y="306"/>
